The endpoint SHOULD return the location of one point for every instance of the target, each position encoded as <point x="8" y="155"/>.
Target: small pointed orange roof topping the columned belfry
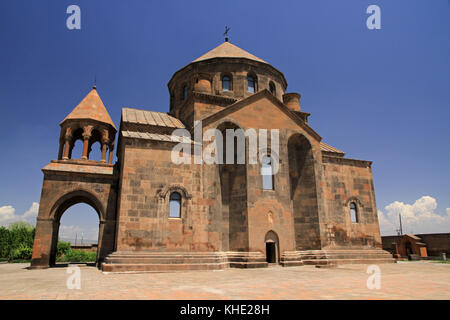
<point x="91" y="107"/>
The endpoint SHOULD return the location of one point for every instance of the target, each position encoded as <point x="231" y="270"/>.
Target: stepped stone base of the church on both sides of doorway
<point x="183" y="261"/>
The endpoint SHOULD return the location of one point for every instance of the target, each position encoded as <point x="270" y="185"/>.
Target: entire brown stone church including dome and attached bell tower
<point x="155" y="215"/>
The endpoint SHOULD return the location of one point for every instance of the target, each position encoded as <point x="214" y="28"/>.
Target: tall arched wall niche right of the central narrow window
<point x="303" y="193"/>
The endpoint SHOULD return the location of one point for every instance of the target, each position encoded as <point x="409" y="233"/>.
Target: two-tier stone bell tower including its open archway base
<point x="69" y="180"/>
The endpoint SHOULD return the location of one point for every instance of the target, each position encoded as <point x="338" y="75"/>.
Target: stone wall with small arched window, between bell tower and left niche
<point x="148" y="178"/>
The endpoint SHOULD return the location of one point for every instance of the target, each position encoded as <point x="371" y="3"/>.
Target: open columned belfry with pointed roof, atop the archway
<point x="90" y="123"/>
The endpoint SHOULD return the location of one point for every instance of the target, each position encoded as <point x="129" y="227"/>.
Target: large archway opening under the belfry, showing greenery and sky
<point x="78" y="235"/>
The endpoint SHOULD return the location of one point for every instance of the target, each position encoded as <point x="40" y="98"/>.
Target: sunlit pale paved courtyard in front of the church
<point x="404" y="280"/>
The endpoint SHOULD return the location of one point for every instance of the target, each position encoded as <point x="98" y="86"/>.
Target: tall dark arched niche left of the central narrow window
<point x="233" y="184"/>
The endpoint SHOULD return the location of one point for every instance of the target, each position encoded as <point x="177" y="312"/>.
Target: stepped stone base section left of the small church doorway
<point x="180" y="261"/>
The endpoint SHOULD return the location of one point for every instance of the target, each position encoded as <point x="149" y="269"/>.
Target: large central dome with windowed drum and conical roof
<point x="230" y="71"/>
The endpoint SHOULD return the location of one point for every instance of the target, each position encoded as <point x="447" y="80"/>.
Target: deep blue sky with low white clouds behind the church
<point x="380" y="95"/>
